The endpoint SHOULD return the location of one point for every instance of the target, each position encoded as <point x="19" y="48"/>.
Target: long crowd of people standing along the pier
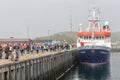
<point x="19" y="49"/>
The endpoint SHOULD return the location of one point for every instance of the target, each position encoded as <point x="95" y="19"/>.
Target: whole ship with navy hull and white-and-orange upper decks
<point x="94" y="43"/>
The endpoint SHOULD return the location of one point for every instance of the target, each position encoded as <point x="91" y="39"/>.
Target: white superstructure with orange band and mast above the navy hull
<point x="94" y="34"/>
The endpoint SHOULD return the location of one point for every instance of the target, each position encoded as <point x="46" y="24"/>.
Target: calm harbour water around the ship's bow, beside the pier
<point x="105" y="72"/>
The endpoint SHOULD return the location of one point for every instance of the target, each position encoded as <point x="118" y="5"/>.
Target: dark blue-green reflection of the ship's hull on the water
<point x="94" y="73"/>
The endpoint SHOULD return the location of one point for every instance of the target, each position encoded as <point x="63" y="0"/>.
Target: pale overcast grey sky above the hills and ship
<point x="34" y="18"/>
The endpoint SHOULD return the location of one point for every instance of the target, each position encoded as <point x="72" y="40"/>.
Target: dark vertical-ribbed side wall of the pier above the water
<point x="51" y="67"/>
